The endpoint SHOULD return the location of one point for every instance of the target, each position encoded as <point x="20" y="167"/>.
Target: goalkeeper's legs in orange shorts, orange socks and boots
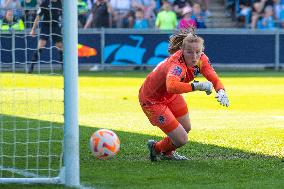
<point x="173" y="121"/>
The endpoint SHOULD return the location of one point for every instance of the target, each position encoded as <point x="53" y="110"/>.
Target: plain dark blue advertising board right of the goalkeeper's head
<point x="240" y="49"/>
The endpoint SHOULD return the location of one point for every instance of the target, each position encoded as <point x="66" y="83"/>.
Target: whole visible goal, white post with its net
<point x="29" y="145"/>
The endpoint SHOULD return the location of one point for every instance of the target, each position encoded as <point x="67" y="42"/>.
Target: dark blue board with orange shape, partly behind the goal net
<point x="25" y="45"/>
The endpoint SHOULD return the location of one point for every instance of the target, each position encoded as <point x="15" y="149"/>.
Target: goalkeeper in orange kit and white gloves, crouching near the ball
<point x="160" y="95"/>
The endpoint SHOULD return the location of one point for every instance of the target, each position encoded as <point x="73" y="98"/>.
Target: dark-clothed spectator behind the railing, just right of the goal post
<point x="100" y="15"/>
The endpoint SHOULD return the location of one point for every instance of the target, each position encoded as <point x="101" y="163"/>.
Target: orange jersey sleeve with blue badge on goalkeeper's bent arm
<point x="174" y="83"/>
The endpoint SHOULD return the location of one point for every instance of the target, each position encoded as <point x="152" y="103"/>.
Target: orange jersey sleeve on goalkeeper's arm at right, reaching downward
<point x="209" y="73"/>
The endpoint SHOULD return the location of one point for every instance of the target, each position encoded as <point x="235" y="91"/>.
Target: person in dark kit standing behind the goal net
<point x="49" y="13"/>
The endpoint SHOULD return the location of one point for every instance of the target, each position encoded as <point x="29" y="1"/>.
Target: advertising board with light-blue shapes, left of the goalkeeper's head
<point x="123" y="49"/>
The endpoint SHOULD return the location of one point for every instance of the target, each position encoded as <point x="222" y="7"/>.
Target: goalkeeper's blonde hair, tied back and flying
<point x="178" y="40"/>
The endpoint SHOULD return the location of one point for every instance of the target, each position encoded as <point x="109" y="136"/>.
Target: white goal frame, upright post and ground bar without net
<point x="70" y="172"/>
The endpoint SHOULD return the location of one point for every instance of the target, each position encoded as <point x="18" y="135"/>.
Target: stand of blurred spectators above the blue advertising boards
<point x="220" y="14"/>
